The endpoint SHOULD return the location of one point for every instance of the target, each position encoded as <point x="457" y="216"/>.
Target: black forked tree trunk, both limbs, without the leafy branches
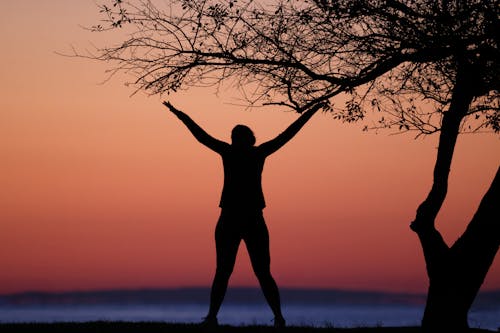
<point x="456" y="273"/>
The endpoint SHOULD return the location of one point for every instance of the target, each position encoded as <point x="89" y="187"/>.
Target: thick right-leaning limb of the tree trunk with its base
<point x="456" y="282"/>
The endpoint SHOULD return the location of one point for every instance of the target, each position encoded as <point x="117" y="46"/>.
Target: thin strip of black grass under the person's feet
<point x="158" y="327"/>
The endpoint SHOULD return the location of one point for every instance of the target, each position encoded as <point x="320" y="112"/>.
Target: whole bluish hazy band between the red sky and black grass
<point x="242" y="306"/>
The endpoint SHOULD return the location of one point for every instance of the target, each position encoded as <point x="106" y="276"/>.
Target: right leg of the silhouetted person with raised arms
<point x="257" y="243"/>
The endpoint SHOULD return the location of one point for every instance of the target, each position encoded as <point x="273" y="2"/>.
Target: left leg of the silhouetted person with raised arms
<point x="226" y="244"/>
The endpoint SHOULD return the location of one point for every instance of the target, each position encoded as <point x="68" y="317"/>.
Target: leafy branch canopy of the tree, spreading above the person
<point x="400" y="57"/>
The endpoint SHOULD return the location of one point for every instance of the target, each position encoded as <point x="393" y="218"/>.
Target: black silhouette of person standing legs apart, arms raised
<point x="241" y="203"/>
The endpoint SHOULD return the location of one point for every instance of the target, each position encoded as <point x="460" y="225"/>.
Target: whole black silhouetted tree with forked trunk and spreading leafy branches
<point x="421" y="65"/>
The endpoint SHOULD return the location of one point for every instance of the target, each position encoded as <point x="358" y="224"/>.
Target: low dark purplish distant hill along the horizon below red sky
<point x="237" y="295"/>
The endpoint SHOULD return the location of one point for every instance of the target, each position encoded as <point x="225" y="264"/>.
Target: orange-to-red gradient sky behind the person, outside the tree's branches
<point x="103" y="190"/>
